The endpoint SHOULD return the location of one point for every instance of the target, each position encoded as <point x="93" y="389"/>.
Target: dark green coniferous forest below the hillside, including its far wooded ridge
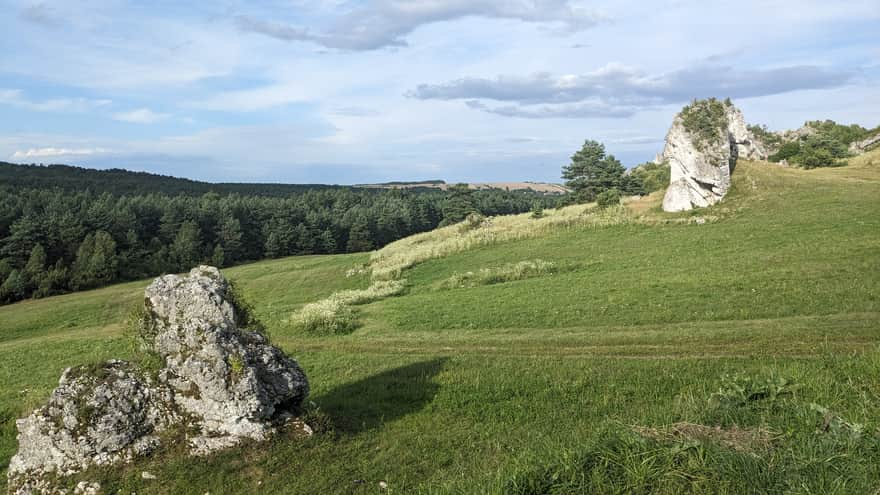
<point x="65" y="228"/>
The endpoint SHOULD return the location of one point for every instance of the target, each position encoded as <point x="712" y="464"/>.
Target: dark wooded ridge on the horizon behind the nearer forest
<point x="119" y="181"/>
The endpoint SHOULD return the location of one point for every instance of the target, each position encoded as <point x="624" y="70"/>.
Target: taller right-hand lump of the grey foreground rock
<point x="230" y="378"/>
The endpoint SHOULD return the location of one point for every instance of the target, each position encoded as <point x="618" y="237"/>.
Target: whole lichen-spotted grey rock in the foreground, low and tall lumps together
<point x="218" y="377"/>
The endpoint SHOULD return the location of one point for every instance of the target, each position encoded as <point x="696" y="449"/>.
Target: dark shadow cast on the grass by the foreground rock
<point x="370" y="403"/>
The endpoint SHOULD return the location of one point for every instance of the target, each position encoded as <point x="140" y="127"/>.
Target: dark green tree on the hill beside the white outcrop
<point x="592" y="172"/>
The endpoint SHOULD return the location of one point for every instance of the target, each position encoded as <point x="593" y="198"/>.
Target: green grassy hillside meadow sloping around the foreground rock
<point x="737" y="353"/>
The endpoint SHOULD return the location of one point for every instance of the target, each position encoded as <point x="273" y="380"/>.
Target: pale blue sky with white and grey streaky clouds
<point x="344" y="92"/>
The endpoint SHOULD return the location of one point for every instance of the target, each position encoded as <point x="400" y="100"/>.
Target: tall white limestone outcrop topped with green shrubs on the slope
<point x="702" y="147"/>
